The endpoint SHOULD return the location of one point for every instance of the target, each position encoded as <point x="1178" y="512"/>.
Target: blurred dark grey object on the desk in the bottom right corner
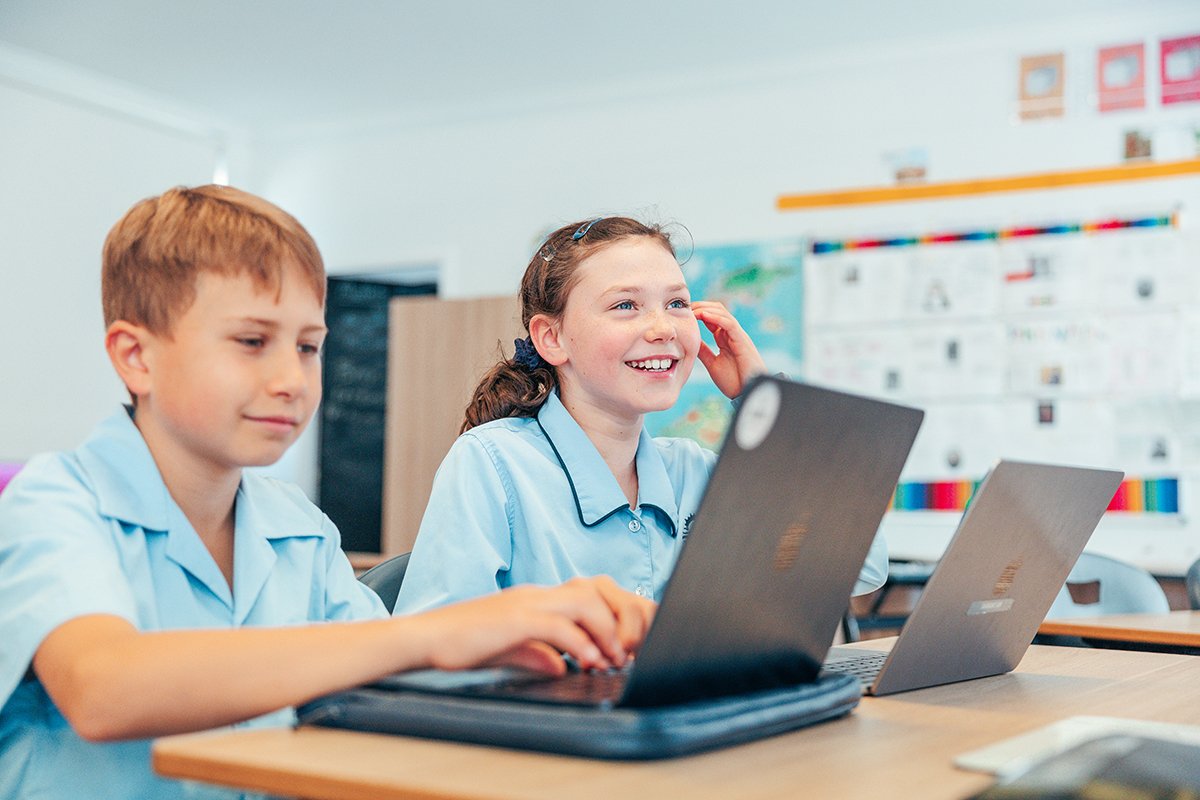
<point x="1109" y="767"/>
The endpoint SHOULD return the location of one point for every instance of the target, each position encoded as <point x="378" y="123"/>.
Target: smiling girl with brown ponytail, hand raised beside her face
<point x="555" y="474"/>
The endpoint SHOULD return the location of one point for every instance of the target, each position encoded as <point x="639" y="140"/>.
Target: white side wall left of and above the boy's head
<point x="70" y="167"/>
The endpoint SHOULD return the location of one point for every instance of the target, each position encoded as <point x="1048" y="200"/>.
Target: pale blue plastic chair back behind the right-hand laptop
<point x="1123" y="590"/>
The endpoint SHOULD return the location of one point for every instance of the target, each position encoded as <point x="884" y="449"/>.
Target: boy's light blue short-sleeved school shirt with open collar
<point x="95" y="532"/>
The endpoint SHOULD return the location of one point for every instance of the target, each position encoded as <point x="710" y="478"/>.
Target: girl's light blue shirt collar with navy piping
<point x="596" y="490"/>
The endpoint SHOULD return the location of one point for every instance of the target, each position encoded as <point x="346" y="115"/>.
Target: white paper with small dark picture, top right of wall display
<point x="1141" y="269"/>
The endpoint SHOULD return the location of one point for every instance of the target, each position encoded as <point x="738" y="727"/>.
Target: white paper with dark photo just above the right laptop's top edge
<point x="1060" y="431"/>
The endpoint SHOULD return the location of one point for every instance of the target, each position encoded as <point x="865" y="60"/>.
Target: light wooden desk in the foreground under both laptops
<point x="902" y="745"/>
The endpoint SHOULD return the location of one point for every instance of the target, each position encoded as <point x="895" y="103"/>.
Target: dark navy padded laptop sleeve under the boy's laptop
<point x="614" y="733"/>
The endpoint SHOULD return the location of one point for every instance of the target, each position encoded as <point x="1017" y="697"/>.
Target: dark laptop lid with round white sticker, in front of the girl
<point x="805" y="478"/>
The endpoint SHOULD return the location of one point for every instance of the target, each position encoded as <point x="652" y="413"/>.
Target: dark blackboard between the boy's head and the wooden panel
<point x="355" y="406"/>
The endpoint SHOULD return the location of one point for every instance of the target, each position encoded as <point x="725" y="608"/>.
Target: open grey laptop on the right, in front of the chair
<point x="1016" y="544"/>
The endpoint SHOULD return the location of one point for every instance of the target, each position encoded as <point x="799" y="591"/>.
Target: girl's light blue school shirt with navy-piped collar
<point x="531" y="501"/>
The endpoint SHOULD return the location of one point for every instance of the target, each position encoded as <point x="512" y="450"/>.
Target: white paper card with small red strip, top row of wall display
<point x="1046" y="274"/>
